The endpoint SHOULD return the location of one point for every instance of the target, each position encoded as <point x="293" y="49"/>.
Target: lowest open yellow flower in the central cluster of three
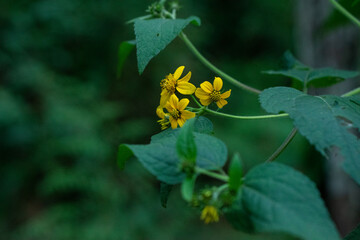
<point x="177" y="112"/>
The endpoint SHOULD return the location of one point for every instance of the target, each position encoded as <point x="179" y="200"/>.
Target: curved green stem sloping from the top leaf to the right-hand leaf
<point x="215" y="69"/>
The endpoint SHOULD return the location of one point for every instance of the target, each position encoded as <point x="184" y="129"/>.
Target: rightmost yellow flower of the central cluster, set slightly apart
<point x="208" y="93"/>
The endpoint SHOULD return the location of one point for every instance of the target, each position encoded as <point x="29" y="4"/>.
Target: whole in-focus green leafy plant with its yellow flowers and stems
<point x="271" y="197"/>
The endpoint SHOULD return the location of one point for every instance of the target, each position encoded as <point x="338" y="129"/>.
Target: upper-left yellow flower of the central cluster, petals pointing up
<point x="172" y="83"/>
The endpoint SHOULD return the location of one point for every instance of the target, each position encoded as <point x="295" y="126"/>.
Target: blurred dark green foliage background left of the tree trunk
<point x="63" y="113"/>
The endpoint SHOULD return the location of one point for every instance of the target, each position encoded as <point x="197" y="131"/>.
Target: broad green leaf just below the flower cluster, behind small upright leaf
<point x="160" y="157"/>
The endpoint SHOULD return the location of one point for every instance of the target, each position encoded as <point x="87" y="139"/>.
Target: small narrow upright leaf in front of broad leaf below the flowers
<point x="185" y="144"/>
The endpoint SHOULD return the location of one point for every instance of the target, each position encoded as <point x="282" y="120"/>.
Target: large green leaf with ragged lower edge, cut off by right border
<point x="326" y="121"/>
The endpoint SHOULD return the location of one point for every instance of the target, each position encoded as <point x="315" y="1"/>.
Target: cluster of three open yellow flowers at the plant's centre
<point x="176" y="114"/>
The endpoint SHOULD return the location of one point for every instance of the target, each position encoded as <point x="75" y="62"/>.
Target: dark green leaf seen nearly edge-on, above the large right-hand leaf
<point x="321" y="77"/>
